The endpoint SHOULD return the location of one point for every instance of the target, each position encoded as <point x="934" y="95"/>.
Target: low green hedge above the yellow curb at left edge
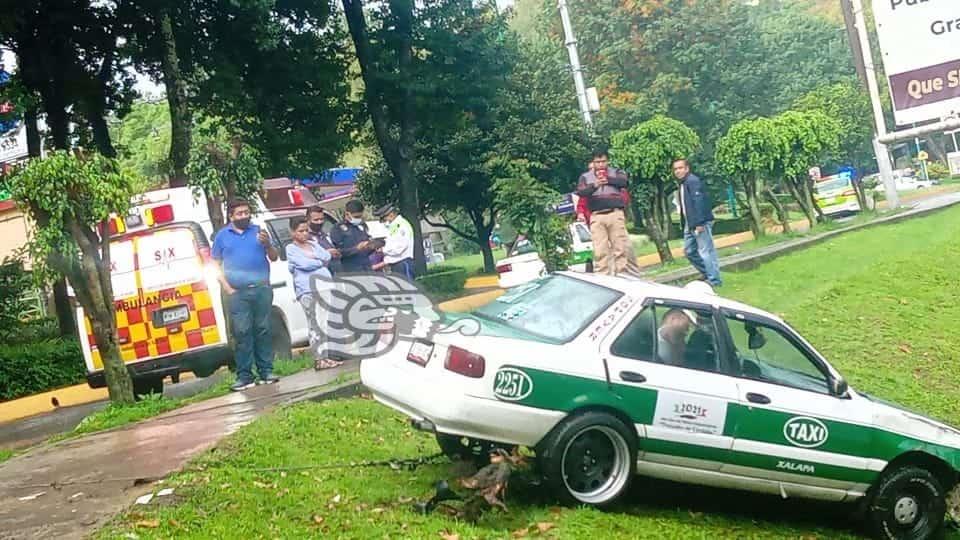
<point x="30" y="368"/>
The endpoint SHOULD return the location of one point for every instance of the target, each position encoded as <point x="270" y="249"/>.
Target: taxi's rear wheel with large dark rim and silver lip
<point x="590" y="459"/>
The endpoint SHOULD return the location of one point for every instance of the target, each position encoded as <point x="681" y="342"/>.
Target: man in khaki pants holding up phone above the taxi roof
<point x="603" y="189"/>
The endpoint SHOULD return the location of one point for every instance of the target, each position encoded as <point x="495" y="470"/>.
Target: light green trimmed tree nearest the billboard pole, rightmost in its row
<point x="848" y="105"/>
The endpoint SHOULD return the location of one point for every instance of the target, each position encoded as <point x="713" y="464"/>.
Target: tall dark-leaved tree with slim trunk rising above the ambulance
<point x="275" y="70"/>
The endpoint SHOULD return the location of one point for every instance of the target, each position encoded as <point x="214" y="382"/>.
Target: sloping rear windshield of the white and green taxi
<point x="556" y="308"/>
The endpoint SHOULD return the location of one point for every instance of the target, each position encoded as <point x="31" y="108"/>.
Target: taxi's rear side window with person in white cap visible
<point x="674" y="336"/>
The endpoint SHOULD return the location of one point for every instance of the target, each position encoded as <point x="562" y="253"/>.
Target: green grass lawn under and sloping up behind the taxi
<point x="881" y="304"/>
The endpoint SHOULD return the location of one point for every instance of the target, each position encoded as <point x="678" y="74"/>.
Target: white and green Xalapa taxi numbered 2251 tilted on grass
<point x="605" y="377"/>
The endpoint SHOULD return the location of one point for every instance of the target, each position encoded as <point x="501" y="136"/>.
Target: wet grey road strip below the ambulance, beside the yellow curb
<point x="29" y="431"/>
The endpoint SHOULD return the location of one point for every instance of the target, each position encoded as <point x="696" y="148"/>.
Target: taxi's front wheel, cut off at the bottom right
<point x="909" y="504"/>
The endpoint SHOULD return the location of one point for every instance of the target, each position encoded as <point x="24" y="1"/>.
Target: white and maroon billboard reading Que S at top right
<point x="920" y="46"/>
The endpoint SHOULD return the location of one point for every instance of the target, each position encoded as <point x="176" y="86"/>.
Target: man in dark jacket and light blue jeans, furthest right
<point x="696" y="217"/>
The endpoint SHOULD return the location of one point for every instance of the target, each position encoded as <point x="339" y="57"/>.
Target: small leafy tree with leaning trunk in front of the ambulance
<point x="69" y="198"/>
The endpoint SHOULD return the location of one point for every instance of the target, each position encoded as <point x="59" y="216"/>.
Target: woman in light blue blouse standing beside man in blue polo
<point x="306" y="258"/>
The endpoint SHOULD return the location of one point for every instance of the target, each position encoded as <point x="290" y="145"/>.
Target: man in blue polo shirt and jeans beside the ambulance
<point x="242" y="249"/>
